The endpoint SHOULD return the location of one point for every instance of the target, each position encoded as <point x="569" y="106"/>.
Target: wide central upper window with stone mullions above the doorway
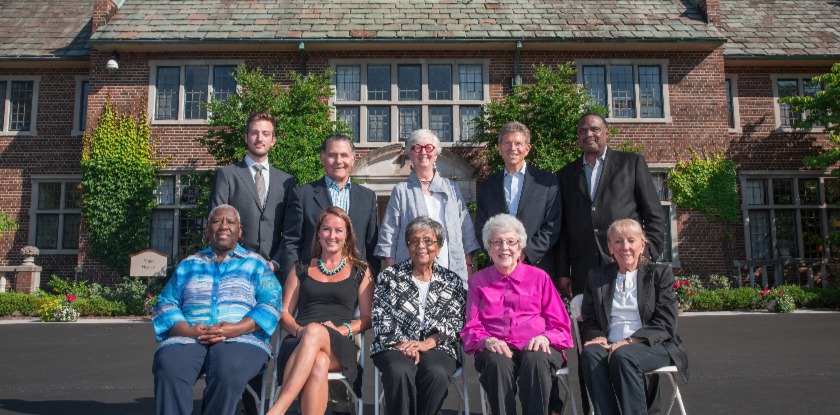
<point x="384" y="101"/>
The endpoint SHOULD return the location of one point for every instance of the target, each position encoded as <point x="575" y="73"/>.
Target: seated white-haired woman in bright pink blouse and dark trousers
<point x="516" y="324"/>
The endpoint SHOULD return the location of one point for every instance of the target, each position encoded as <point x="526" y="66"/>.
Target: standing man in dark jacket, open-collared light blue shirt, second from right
<point x="524" y="191"/>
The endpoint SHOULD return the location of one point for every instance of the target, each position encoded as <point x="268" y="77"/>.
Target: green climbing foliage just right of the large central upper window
<point x="550" y="107"/>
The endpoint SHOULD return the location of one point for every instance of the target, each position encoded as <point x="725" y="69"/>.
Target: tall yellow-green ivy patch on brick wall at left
<point x="119" y="174"/>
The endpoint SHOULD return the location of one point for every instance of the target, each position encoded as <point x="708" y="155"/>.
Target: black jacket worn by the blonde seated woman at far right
<point x="657" y="308"/>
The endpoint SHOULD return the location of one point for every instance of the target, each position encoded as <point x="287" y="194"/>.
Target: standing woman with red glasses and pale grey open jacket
<point x="426" y="193"/>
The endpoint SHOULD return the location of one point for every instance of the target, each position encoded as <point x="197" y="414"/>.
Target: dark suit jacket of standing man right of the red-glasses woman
<point x="539" y="210"/>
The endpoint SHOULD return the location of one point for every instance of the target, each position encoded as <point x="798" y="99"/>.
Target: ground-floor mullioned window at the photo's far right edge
<point x="789" y="214"/>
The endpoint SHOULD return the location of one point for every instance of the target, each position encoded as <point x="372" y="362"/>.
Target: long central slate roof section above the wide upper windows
<point x="226" y="21"/>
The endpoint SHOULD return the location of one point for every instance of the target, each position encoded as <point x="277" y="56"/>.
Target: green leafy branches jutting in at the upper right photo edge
<point x="823" y="110"/>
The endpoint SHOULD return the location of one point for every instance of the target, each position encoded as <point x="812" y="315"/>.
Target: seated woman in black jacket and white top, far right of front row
<point x="629" y="323"/>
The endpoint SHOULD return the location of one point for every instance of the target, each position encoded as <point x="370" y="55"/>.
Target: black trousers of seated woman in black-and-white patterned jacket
<point x="415" y="389"/>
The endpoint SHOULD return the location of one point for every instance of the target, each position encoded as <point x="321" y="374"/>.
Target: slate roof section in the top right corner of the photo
<point x="781" y="28"/>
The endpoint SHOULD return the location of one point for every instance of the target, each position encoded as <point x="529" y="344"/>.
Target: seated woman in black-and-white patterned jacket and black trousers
<point x="418" y="312"/>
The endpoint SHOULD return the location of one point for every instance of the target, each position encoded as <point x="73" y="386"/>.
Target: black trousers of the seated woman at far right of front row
<point x="619" y="381"/>
